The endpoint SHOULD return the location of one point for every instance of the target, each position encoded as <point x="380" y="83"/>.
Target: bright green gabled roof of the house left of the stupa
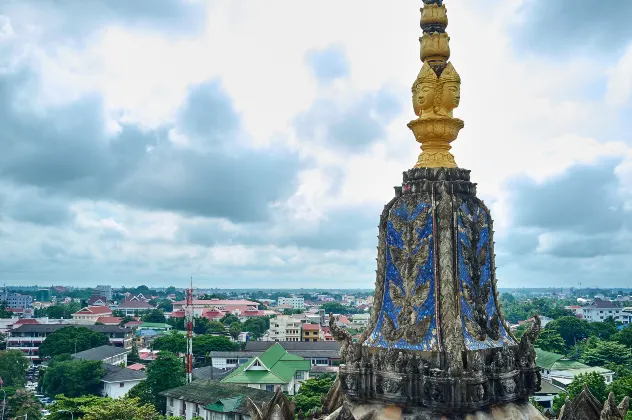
<point x="281" y="365"/>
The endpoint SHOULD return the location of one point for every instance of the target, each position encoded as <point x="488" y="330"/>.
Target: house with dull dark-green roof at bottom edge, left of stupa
<point x="213" y="400"/>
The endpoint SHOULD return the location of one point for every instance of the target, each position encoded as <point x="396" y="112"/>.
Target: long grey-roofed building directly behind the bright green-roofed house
<point x="320" y="353"/>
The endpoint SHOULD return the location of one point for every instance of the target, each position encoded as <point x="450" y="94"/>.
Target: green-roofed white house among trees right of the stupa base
<point x="561" y="371"/>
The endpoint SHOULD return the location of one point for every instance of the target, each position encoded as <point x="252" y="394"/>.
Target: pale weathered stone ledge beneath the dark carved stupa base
<point x="520" y="410"/>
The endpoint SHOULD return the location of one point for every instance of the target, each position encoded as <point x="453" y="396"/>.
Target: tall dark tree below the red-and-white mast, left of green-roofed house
<point x="166" y="372"/>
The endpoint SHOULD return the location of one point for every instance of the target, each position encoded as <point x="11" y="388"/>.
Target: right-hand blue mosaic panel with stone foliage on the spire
<point x="482" y="327"/>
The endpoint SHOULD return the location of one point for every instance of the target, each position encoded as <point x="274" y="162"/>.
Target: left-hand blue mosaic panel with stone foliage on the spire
<point x="407" y="318"/>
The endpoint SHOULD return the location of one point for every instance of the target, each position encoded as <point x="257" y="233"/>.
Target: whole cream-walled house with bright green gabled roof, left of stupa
<point x="274" y="368"/>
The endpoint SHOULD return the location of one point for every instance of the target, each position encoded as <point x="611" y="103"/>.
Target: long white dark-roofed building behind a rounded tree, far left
<point x="29" y="337"/>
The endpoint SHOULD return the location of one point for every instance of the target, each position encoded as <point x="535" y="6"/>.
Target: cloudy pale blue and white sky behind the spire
<point x="254" y="144"/>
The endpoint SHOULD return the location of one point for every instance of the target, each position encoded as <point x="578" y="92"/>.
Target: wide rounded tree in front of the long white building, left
<point x="71" y="340"/>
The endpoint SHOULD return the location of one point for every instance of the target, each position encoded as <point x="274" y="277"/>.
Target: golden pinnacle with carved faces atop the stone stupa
<point x="436" y="92"/>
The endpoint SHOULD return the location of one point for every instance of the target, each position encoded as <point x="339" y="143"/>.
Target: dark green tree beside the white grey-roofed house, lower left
<point x="73" y="378"/>
